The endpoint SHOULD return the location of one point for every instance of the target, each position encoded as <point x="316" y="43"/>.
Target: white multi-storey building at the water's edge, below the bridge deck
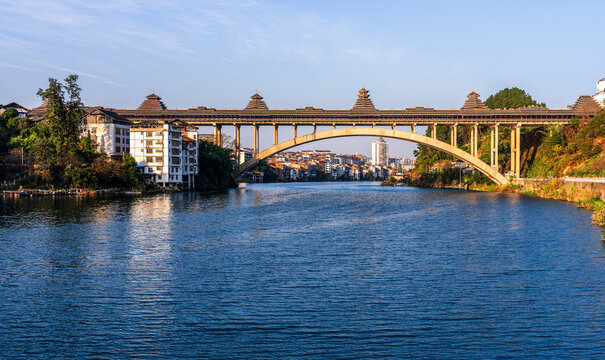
<point x="159" y="150"/>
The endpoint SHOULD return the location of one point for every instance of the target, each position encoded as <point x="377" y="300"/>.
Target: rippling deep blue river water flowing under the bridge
<point x="331" y="270"/>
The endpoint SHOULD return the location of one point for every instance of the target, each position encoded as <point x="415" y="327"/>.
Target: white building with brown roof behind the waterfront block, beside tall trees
<point x="108" y="130"/>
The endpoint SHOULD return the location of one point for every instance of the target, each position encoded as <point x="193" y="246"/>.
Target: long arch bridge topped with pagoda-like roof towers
<point x="363" y="119"/>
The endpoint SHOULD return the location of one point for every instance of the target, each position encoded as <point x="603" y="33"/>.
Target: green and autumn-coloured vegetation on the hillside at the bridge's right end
<point x="575" y="149"/>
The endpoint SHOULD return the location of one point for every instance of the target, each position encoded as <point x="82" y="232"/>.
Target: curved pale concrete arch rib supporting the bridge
<point x="476" y="163"/>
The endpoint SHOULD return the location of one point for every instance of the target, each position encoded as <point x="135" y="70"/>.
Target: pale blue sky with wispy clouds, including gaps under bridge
<point x="302" y="53"/>
